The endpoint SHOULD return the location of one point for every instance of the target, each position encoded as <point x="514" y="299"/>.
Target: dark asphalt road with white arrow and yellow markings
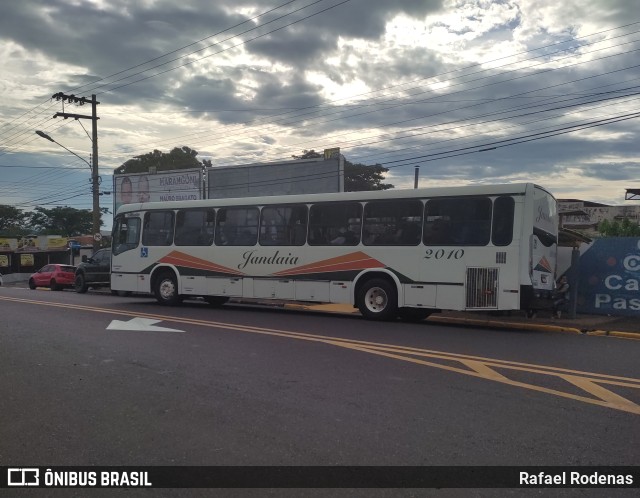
<point x="246" y="385"/>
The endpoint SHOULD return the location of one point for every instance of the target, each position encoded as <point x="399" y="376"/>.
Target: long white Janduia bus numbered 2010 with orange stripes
<point x="405" y="253"/>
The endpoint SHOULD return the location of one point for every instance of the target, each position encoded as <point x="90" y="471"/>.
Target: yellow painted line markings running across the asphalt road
<point x="475" y="366"/>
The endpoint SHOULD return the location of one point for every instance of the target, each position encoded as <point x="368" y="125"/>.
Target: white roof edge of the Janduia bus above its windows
<point x="500" y="189"/>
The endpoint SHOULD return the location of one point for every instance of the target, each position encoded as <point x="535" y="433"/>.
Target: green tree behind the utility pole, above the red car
<point x="64" y="221"/>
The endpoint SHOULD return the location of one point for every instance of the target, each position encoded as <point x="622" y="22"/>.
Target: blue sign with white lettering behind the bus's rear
<point x="610" y="277"/>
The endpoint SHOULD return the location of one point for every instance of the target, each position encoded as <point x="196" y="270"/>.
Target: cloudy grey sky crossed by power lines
<point x="472" y="91"/>
